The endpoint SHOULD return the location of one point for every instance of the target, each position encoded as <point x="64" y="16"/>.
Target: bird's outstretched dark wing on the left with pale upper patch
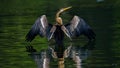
<point x="40" y="27"/>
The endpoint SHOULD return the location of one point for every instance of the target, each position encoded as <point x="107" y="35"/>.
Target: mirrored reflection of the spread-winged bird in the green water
<point x="74" y="52"/>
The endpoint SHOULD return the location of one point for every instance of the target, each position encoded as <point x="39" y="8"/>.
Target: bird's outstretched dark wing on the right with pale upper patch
<point x="78" y="26"/>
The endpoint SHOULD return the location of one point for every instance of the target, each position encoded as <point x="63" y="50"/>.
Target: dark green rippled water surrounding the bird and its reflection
<point x="16" y="18"/>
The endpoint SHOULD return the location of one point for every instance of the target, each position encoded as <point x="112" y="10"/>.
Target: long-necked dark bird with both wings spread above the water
<point x="76" y="27"/>
